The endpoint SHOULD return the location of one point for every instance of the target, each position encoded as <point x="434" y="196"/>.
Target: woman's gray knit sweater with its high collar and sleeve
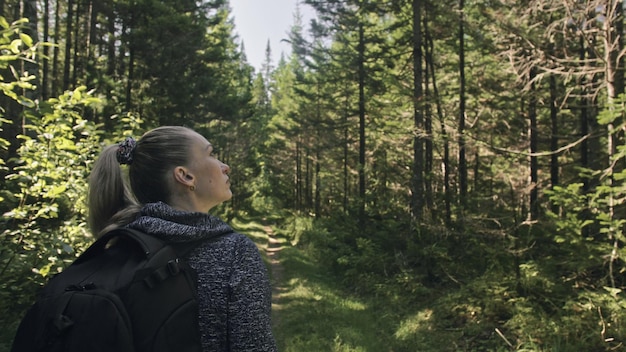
<point x="233" y="287"/>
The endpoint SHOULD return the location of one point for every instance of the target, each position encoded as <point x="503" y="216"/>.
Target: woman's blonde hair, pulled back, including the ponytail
<point x="112" y="203"/>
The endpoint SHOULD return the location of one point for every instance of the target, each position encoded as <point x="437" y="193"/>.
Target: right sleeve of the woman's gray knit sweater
<point x="249" y="323"/>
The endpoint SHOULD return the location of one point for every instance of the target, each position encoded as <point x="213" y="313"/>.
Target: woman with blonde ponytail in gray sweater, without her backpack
<point x="175" y="180"/>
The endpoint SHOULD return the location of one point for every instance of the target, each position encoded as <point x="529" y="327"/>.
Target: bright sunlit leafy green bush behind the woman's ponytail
<point x="43" y="215"/>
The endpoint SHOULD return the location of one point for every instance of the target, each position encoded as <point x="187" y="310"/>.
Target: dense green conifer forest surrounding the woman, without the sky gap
<point x="460" y="166"/>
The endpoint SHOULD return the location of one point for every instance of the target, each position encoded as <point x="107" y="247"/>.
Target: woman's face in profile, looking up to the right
<point x="210" y="176"/>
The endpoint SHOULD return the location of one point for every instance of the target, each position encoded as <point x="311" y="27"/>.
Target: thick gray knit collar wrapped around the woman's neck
<point x="165" y="222"/>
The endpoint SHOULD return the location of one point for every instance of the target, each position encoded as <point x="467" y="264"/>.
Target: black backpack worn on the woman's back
<point x="129" y="291"/>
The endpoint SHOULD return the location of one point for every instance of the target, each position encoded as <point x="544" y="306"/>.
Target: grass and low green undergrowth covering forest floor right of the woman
<point x="351" y="294"/>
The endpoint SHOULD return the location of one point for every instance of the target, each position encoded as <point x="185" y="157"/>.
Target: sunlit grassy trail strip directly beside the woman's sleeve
<point x="312" y="314"/>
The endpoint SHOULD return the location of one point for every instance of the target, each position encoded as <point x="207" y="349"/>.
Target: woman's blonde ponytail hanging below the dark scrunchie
<point x="111" y="203"/>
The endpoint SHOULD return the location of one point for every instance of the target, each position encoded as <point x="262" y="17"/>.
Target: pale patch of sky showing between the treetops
<point x="257" y="21"/>
